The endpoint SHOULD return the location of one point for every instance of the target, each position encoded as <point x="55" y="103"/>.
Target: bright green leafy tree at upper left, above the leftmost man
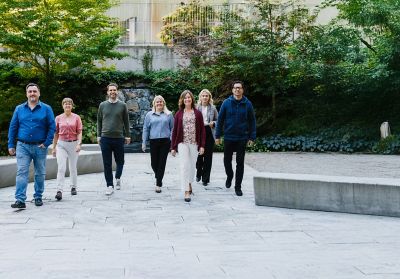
<point x="57" y="35"/>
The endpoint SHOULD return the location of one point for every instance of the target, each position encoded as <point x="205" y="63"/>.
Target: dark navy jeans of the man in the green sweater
<point x="108" y="146"/>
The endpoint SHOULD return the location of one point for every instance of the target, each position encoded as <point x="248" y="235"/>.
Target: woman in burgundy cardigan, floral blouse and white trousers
<point x="188" y="138"/>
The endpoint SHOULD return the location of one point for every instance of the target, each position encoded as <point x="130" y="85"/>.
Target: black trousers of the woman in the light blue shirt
<point x="159" y="149"/>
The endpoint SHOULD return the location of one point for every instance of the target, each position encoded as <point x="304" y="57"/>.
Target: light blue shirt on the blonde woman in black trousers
<point x="157" y="125"/>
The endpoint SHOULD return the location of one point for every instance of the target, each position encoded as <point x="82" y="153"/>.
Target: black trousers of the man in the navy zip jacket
<point x="239" y="147"/>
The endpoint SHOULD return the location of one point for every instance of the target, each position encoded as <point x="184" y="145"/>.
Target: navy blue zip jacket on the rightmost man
<point x="237" y="120"/>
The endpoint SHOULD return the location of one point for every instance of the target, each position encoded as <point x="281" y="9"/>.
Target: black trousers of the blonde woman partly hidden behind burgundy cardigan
<point x="204" y="162"/>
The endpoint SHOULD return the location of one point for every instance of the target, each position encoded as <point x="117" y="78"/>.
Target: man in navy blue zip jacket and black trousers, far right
<point x="237" y="120"/>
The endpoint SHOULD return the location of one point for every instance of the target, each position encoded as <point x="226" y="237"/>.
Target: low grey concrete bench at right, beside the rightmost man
<point x="376" y="196"/>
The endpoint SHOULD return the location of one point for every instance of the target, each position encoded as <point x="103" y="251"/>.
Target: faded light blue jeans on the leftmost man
<point x="25" y="154"/>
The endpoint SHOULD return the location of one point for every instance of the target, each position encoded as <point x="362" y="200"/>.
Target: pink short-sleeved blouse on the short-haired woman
<point x="68" y="128"/>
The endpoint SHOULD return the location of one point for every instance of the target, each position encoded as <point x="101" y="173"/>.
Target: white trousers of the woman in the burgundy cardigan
<point x="187" y="158"/>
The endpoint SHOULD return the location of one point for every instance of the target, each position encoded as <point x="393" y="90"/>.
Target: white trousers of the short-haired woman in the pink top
<point x="66" y="150"/>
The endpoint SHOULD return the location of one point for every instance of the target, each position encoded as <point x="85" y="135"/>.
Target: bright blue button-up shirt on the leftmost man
<point x="32" y="125"/>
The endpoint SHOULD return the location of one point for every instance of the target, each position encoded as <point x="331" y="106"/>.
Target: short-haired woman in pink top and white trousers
<point x="66" y="145"/>
